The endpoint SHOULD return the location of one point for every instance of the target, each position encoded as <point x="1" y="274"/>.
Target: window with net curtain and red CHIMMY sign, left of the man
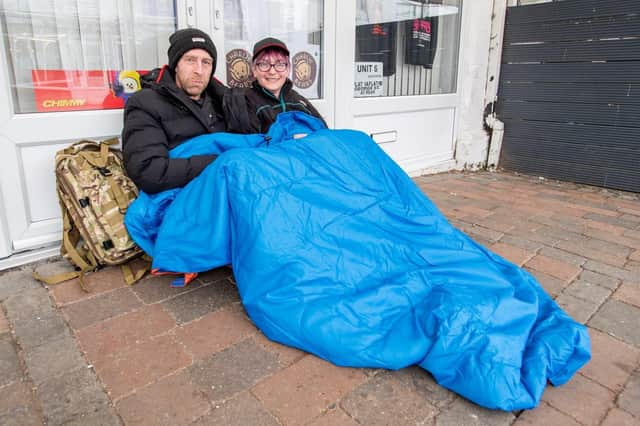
<point x="82" y="55"/>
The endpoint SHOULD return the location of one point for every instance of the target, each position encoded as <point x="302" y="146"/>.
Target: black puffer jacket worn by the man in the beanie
<point x="160" y="117"/>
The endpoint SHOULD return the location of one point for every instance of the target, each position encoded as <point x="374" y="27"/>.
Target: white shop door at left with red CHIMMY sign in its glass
<point x="61" y="83"/>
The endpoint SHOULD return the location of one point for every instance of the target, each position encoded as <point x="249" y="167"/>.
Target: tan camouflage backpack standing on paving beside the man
<point x="94" y="193"/>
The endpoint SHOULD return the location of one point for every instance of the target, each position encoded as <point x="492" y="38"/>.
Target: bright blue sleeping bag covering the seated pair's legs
<point x="337" y="252"/>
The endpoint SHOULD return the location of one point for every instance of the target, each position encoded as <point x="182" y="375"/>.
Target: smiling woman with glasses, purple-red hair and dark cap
<point x="254" y="109"/>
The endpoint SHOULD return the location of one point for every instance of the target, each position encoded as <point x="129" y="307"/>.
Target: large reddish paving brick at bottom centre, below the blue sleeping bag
<point x="307" y="389"/>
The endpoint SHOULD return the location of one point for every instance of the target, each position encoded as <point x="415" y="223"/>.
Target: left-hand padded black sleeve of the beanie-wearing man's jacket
<point x="146" y="151"/>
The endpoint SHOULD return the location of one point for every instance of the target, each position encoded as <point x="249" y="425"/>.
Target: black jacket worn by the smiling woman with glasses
<point x="254" y="110"/>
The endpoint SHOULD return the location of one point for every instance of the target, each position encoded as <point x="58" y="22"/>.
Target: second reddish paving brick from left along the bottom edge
<point x="172" y="400"/>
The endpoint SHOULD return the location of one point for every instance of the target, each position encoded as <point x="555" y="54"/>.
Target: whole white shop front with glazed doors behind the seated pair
<point x="390" y="69"/>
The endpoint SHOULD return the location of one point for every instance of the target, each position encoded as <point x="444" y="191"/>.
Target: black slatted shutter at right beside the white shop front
<point x="569" y="92"/>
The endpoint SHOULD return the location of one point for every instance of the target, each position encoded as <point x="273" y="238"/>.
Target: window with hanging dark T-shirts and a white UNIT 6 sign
<point x="406" y="47"/>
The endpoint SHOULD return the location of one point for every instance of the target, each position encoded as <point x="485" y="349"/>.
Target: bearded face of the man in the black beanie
<point x="193" y="72"/>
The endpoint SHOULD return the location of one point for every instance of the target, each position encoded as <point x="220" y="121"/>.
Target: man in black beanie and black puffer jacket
<point x="177" y="102"/>
